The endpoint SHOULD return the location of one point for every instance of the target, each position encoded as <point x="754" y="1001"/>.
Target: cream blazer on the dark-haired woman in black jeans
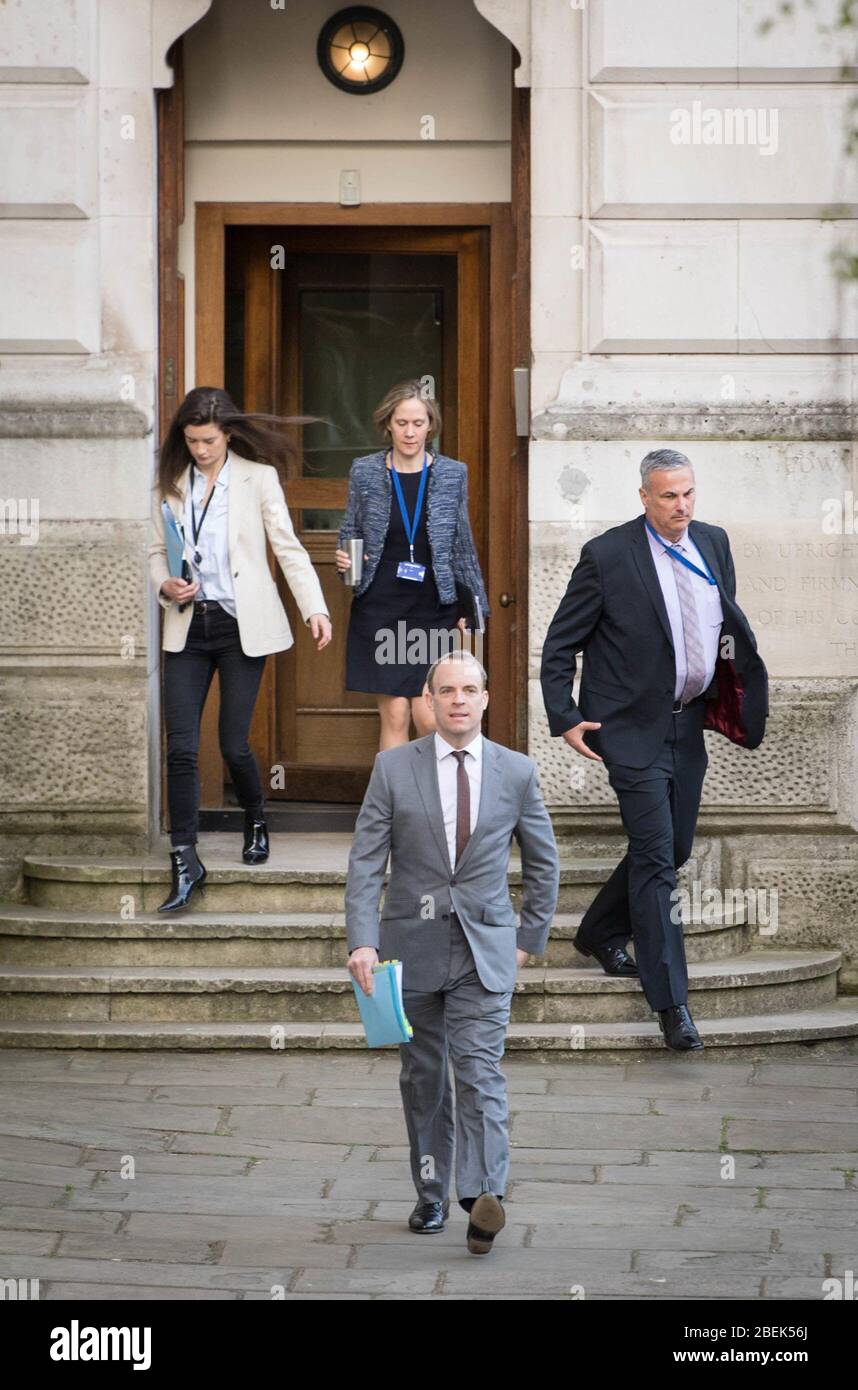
<point x="257" y="509"/>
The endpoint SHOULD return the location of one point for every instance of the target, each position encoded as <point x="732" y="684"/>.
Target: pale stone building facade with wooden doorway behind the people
<point x="628" y="216"/>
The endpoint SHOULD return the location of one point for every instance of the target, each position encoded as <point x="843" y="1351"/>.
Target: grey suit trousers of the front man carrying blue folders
<point x="472" y="1022"/>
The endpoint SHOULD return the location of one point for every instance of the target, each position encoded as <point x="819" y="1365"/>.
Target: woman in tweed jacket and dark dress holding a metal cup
<point x="398" y="626"/>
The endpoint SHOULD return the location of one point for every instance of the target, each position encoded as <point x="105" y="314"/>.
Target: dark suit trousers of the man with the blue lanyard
<point x="660" y="807"/>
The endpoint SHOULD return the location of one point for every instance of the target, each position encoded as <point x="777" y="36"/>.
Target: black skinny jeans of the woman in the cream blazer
<point x="213" y="644"/>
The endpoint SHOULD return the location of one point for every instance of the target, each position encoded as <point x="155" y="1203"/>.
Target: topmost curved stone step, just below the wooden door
<point x="280" y="886"/>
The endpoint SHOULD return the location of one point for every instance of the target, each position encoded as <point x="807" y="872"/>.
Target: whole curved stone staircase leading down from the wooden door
<point x="86" y="961"/>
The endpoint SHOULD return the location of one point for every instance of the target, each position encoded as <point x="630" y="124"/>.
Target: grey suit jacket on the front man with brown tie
<point x="401" y="817"/>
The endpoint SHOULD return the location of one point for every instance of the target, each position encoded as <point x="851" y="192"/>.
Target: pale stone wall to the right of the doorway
<point x="685" y="293"/>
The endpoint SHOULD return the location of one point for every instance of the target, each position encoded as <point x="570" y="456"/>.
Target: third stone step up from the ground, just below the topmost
<point x="70" y="938"/>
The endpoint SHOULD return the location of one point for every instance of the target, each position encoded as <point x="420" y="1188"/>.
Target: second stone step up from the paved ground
<point x="753" y="983"/>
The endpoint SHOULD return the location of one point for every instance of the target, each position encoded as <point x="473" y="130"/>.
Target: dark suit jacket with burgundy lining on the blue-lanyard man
<point x="615" y="615"/>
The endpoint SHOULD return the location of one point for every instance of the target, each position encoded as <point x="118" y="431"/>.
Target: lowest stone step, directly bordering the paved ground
<point x="752" y="1036"/>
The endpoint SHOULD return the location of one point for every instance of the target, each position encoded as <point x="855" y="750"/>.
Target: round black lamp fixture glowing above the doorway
<point x="361" y="51"/>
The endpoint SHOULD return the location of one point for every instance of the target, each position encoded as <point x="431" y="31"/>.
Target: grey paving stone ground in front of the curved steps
<point x="257" y="1171"/>
